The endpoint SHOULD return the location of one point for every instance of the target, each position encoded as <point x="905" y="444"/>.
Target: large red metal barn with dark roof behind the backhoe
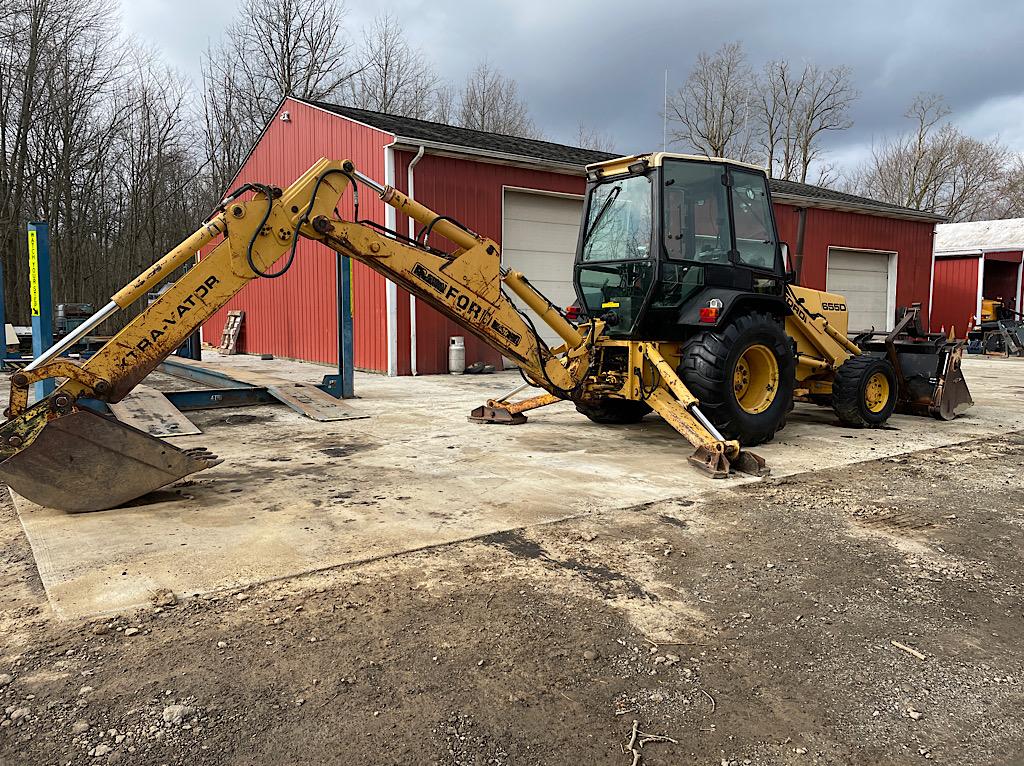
<point x="527" y="195"/>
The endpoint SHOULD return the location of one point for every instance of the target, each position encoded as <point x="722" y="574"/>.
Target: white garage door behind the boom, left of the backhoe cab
<point x="539" y="238"/>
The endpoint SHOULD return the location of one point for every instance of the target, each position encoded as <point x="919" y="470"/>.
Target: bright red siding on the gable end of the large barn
<point x="294" y="316"/>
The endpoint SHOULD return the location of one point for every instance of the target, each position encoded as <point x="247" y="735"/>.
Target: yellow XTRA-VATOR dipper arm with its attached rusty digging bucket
<point x="64" y="456"/>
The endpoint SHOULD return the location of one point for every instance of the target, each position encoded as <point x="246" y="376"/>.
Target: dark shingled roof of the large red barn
<point x="410" y="132"/>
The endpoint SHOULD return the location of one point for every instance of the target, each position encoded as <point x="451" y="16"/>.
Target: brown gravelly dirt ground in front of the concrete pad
<point x="759" y="626"/>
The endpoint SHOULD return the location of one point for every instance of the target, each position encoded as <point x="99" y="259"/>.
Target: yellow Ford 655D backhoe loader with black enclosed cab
<point x="686" y="308"/>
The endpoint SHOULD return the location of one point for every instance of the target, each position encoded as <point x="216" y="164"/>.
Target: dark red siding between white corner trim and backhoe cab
<point x="472" y="193"/>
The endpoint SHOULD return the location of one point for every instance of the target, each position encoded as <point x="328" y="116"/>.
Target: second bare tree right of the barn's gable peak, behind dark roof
<point x="491" y="102"/>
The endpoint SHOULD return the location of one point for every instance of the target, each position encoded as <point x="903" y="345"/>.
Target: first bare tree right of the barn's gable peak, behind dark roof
<point x="393" y="77"/>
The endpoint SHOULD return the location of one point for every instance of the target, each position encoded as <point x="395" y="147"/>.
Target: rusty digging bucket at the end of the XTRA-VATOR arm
<point x="87" y="462"/>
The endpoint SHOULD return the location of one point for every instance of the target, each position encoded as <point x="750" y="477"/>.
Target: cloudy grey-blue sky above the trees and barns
<point x="605" y="63"/>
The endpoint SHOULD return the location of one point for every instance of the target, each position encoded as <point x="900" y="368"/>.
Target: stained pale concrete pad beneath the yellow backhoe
<point x="294" y="495"/>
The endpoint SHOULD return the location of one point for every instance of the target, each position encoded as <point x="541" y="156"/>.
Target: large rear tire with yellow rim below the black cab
<point x="744" y="375"/>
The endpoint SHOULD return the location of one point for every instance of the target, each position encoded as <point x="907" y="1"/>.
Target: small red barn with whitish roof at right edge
<point x="974" y="262"/>
